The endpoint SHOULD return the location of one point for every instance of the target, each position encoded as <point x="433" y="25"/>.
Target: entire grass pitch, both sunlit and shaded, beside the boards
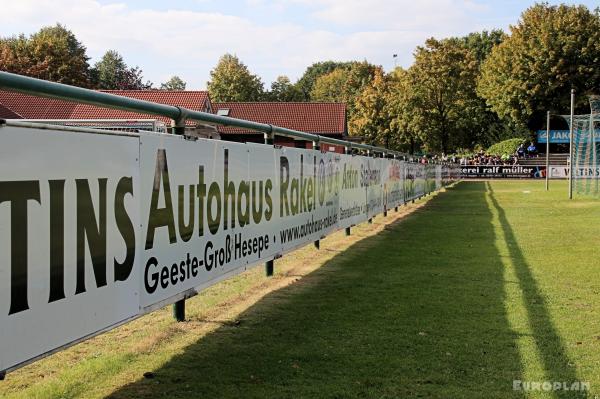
<point x="478" y="286"/>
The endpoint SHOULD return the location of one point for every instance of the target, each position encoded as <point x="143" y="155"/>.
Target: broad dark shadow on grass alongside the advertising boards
<point x="416" y="311"/>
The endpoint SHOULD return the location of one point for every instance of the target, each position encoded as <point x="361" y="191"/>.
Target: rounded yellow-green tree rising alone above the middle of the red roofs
<point x="232" y="81"/>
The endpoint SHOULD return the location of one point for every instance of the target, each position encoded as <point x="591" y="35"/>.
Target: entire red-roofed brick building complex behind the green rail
<point x="327" y="119"/>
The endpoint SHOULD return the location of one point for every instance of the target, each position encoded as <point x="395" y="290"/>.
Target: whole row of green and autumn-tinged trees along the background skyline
<point x="461" y="92"/>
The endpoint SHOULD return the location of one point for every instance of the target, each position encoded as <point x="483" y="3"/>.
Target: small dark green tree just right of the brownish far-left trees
<point x="112" y="73"/>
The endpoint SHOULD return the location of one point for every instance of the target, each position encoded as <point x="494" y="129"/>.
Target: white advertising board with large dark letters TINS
<point x="68" y="220"/>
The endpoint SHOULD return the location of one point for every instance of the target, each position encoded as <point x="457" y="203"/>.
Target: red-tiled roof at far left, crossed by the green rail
<point x="32" y="107"/>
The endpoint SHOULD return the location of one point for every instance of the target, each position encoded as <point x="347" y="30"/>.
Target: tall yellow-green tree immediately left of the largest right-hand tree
<point x="442" y="81"/>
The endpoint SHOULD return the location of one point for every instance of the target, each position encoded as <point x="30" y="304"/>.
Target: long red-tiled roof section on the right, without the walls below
<point x="318" y="118"/>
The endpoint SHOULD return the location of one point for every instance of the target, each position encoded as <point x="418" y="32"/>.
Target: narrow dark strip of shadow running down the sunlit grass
<point x="556" y="363"/>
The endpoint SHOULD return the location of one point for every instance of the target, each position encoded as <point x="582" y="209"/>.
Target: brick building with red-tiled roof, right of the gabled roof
<point x="327" y="119"/>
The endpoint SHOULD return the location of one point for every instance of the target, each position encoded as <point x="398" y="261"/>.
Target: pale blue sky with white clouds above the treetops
<point x="272" y="37"/>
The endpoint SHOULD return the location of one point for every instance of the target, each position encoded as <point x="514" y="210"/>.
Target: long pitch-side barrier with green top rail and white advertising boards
<point x="99" y="227"/>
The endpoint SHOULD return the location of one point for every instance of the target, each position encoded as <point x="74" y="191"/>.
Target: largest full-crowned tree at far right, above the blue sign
<point x="551" y="50"/>
